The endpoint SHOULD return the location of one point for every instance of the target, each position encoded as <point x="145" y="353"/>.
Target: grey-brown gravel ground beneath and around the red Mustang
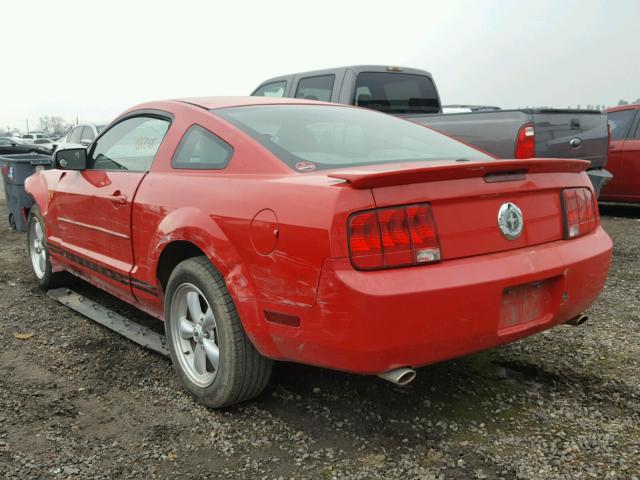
<point x="77" y="401"/>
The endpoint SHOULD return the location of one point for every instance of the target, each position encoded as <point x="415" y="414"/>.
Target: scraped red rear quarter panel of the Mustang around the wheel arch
<point x="214" y="209"/>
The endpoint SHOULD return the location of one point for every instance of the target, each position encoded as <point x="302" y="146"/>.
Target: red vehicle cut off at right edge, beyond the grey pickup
<point x="624" y="155"/>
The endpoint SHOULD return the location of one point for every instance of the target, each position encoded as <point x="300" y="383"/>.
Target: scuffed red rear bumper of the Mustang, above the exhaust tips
<point x="371" y="322"/>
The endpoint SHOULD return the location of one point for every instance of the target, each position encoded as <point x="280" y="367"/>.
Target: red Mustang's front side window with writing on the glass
<point x="129" y="145"/>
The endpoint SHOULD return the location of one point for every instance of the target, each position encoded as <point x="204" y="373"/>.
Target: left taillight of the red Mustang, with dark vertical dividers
<point x="393" y="237"/>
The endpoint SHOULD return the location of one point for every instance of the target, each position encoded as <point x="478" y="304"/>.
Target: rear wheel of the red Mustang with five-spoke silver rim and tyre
<point x="210" y="351"/>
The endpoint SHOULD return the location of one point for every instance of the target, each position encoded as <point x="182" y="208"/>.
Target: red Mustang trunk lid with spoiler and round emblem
<point x="466" y="198"/>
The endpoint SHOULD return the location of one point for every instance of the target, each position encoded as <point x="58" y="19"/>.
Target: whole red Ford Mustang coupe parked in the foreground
<point x="269" y="229"/>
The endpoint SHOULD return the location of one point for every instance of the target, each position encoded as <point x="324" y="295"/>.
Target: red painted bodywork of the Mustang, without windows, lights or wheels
<point x="366" y="322"/>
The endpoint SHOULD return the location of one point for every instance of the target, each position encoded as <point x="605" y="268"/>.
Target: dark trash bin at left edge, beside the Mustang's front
<point x="15" y="170"/>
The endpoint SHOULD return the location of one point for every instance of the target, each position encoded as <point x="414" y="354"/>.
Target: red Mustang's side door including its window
<point x="92" y="208"/>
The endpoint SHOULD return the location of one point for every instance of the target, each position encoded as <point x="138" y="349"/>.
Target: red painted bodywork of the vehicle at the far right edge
<point x="624" y="165"/>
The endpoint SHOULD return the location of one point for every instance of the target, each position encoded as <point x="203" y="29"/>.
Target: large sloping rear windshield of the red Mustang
<point x="310" y="137"/>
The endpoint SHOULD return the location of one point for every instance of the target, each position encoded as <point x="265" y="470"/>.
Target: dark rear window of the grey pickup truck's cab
<point x="396" y="93"/>
